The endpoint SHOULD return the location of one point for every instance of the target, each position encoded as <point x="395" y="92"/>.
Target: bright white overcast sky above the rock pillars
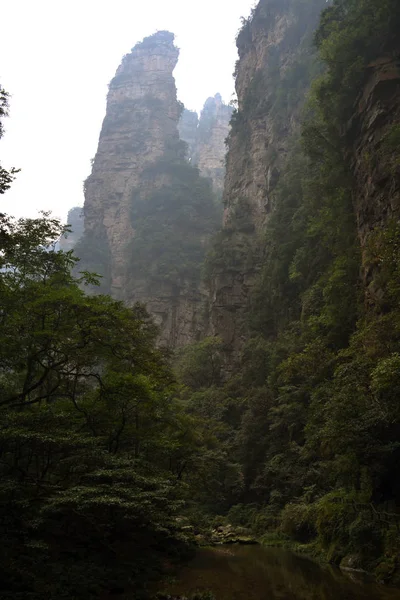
<point x="57" y="58"/>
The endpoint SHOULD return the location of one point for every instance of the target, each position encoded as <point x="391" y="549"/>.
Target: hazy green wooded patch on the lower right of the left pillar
<point x="173" y="224"/>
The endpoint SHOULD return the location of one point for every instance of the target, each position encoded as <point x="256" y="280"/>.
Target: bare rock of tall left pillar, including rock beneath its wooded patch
<point x="140" y="132"/>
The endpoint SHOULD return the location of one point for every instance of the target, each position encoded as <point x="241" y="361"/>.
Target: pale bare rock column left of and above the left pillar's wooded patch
<point x="141" y="120"/>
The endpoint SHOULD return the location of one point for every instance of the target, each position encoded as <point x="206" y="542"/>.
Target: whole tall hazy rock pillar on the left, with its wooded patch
<point x="148" y="213"/>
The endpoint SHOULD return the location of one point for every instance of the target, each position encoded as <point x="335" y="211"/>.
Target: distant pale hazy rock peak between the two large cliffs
<point x="206" y="139"/>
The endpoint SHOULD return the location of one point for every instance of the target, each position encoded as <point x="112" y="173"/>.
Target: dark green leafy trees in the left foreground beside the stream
<point x="89" y="431"/>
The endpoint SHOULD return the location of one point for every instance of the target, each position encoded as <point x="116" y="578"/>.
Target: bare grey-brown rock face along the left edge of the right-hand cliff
<point x="272" y="76"/>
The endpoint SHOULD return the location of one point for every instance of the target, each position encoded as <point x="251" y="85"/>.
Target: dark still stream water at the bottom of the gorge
<point x="257" y="573"/>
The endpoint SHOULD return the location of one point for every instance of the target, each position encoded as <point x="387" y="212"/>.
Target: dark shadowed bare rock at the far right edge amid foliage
<point x="372" y="138"/>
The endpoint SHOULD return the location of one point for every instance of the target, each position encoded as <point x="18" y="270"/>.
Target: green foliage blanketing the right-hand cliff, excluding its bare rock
<point x="316" y="434"/>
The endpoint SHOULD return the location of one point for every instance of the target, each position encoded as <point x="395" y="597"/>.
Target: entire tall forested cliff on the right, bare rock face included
<point x="309" y="351"/>
